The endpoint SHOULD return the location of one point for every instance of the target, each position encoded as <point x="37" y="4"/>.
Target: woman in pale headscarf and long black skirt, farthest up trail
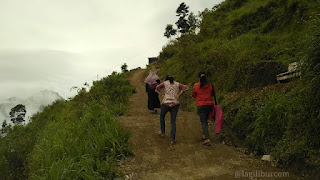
<point x="153" y="99"/>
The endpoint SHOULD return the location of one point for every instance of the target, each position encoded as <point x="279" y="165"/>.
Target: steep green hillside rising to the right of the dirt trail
<point x="243" y="45"/>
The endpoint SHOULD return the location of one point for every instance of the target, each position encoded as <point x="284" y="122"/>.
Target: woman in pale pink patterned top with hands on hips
<point x="170" y="103"/>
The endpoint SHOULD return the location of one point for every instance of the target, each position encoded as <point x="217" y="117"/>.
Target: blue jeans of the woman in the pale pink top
<point x="173" y="112"/>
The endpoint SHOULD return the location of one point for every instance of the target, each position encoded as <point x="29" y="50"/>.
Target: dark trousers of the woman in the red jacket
<point x="203" y="112"/>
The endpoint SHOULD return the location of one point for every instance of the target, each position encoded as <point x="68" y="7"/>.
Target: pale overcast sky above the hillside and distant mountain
<point x="57" y="44"/>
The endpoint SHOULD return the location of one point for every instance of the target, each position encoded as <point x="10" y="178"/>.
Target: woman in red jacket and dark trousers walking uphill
<point x="203" y="91"/>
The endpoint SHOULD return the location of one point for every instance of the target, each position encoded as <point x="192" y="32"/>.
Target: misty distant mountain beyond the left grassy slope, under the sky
<point x="34" y="104"/>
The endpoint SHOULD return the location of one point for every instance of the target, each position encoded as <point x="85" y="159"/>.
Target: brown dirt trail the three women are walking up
<point x="154" y="158"/>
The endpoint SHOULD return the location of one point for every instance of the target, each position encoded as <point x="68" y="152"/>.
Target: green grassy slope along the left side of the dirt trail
<point x="75" y="139"/>
